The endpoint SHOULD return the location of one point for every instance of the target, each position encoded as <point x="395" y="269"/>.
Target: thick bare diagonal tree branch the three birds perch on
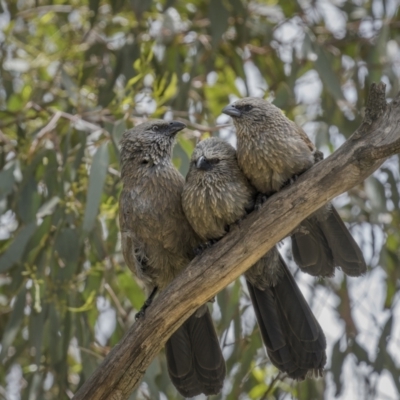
<point x="209" y="273"/>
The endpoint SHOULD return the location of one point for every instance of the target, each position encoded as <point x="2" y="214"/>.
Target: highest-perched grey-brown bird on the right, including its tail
<point x="271" y="151"/>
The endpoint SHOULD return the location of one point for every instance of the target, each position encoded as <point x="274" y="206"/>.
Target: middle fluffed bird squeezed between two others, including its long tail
<point x="216" y="195"/>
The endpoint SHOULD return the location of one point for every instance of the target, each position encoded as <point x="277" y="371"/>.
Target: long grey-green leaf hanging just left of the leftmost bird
<point x="98" y="172"/>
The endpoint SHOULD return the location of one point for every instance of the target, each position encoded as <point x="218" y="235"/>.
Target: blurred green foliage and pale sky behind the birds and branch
<point x="75" y="74"/>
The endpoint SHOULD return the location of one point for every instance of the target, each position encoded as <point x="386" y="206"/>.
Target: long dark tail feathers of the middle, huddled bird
<point x="294" y="340"/>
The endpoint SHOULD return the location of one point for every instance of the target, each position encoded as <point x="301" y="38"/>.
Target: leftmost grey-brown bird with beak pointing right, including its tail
<point x="158" y="243"/>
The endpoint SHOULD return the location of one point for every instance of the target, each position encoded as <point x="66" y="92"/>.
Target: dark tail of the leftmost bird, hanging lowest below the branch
<point x="194" y="358"/>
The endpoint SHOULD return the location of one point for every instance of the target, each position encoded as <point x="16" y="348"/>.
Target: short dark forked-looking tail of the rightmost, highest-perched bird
<point x="328" y="244"/>
